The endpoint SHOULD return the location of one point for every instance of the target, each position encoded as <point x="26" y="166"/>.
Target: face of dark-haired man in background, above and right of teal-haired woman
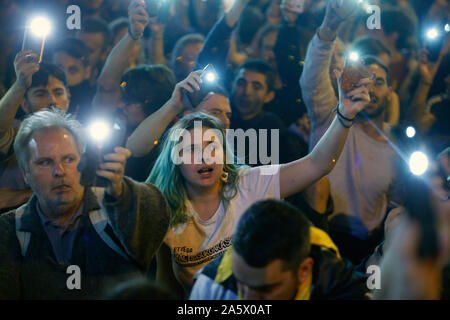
<point x="250" y="93"/>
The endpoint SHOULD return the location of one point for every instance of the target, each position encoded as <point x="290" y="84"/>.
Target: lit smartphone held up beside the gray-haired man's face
<point x="95" y="151"/>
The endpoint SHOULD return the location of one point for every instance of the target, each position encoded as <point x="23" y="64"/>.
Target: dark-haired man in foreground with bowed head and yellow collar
<point x="277" y="255"/>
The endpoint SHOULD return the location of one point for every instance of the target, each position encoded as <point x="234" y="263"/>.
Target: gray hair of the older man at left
<point x="45" y="119"/>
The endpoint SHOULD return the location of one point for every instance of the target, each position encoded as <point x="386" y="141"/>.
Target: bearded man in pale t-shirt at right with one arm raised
<point x="363" y="179"/>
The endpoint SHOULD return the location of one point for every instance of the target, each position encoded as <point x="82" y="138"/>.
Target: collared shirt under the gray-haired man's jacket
<point x="60" y="237"/>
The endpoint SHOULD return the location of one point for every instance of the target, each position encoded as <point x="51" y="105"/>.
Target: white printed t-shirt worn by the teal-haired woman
<point x="196" y="243"/>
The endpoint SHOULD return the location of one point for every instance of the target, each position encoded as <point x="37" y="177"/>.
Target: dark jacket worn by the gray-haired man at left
<point x="138" y="222"/>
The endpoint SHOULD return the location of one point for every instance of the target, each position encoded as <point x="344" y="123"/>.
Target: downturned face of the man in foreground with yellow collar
<point x="272" y="282"/>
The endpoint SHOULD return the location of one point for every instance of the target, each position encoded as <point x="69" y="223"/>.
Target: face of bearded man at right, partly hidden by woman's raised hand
<point x="378" y="91"/>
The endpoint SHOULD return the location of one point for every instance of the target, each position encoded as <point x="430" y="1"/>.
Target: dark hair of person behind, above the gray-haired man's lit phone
<point x="151" y="85"/>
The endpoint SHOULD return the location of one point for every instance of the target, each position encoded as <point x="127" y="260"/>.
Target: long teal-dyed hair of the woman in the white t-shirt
<point x="166" y="175"/>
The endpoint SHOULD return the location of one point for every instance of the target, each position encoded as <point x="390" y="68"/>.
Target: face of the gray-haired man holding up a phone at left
<point x="52" y="172"/>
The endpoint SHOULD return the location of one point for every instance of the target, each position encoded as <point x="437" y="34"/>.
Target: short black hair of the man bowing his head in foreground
<point x="272" y="229"/>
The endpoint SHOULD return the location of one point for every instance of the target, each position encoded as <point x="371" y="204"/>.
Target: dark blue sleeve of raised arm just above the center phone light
<point x="216" y="47"/>
